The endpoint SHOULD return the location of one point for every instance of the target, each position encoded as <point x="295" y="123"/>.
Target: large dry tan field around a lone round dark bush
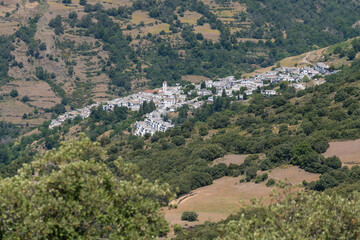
<point x="226" y="195"/>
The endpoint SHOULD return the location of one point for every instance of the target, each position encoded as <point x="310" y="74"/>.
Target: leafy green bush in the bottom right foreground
<point x="303" y="216"/>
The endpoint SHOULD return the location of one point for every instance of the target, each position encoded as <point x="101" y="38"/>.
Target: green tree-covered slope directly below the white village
<point x="293" y="128"/>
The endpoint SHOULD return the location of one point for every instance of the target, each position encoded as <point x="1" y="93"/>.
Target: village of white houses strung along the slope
<point x="169" y="99"/>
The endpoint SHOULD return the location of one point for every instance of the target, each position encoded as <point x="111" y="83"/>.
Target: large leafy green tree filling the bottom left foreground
<point x="71" y="194"/>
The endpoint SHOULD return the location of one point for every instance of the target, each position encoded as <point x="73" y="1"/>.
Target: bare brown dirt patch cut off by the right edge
<point x="348" y="152"/>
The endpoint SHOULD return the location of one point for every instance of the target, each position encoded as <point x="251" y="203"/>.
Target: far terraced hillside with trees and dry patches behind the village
<point x="73" y="53"/>
